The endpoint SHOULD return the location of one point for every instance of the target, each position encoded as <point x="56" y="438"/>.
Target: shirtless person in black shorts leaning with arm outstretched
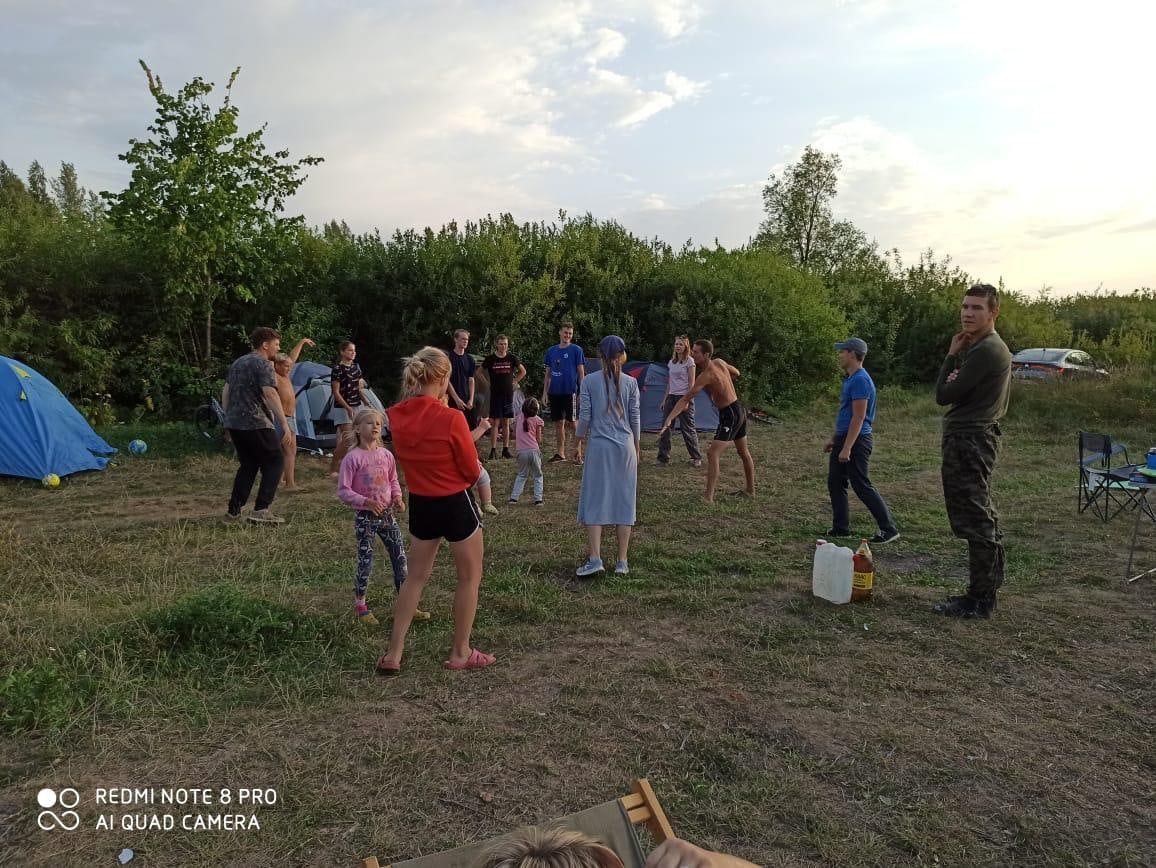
<point x="717" y="379"/>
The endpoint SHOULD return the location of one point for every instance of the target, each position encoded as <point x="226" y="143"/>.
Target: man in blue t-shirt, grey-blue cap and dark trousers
<point x="850" y="448"/>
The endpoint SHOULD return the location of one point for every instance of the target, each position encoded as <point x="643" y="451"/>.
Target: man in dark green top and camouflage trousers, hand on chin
<point x="975" y="382"/>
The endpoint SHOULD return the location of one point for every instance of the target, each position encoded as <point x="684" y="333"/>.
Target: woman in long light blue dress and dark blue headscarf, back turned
<point x="610" y="421"/>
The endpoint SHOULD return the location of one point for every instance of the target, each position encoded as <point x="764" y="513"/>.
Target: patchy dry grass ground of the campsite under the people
<point x="146" y="643"/>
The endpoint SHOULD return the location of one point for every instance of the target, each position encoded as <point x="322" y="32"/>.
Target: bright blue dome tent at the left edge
<point x="41" y="433"/>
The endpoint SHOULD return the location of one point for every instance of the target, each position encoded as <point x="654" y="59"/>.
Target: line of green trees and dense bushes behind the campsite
<point x="140" y="298"/>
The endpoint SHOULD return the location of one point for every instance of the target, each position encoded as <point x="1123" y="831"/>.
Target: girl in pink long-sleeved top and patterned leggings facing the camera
<point x="368" y="481"/>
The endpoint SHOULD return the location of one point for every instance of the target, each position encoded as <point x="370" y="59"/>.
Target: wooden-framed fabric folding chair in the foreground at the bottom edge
<point x="613" y="822"/>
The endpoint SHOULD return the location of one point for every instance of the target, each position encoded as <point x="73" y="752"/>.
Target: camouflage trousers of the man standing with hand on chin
<point x="969" y="459"/>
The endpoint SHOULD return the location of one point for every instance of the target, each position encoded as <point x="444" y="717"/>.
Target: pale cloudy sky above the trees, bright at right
<point x="1014" y="136"/>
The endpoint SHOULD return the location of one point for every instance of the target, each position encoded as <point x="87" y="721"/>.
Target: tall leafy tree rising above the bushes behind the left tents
<point x="206" y="201"/>
